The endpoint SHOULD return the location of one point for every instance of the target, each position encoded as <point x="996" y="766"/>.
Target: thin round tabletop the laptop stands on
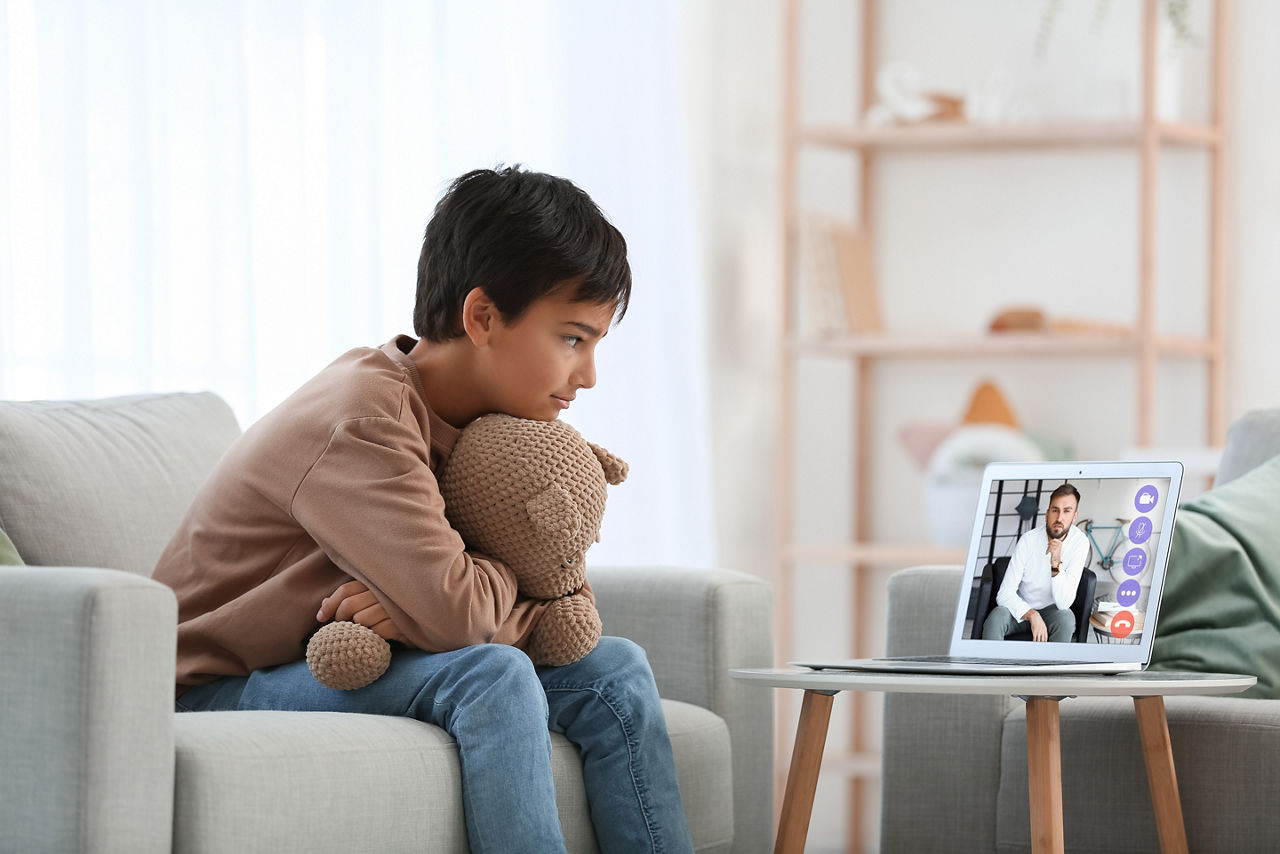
<point x="1137" y="684"/>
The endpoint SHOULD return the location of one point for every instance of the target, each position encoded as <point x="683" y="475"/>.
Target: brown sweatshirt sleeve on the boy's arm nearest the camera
<point x="372" y="503"/>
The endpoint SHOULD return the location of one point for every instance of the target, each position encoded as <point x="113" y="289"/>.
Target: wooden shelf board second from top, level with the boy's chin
<point x="1003" y="345"/>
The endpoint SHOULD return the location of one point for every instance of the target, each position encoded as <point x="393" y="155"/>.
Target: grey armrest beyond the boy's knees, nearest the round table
<point x="697" y="625"/>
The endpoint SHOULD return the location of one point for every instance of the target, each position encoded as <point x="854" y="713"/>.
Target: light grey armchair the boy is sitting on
<point x="94" y="759"/>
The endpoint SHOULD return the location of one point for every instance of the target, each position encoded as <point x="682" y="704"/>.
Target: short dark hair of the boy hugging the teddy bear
<point x="516" y="235"/>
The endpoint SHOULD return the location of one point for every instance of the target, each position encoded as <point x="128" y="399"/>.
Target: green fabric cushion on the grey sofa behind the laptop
<point x="1222" y="605"/>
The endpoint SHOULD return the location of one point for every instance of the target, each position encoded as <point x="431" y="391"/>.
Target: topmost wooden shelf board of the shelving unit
<point x="1040" y="135"/>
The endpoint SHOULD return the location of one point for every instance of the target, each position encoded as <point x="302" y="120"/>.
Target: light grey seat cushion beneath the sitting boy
<point x="310" y="780"/>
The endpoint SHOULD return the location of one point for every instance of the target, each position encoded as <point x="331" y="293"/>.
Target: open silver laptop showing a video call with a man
<point x="1121" y="532"/>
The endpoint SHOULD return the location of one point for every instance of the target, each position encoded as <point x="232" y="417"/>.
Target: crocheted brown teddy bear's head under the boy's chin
<point x="531" y="495"/>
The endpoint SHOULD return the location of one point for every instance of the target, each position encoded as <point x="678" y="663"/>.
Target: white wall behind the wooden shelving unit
<point x="961" y="238"/>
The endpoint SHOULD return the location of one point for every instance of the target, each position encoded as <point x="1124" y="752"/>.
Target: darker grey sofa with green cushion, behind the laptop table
<point x="956" y="768"/>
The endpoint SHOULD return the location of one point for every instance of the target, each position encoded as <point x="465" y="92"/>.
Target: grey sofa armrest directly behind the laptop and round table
<point x="941" y="759"/>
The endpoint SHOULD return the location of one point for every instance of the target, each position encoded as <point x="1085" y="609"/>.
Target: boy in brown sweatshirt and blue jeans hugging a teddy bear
<point x="331" y="500"/>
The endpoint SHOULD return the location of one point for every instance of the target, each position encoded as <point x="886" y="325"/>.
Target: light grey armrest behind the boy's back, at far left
<point x="86" y="710"/>
